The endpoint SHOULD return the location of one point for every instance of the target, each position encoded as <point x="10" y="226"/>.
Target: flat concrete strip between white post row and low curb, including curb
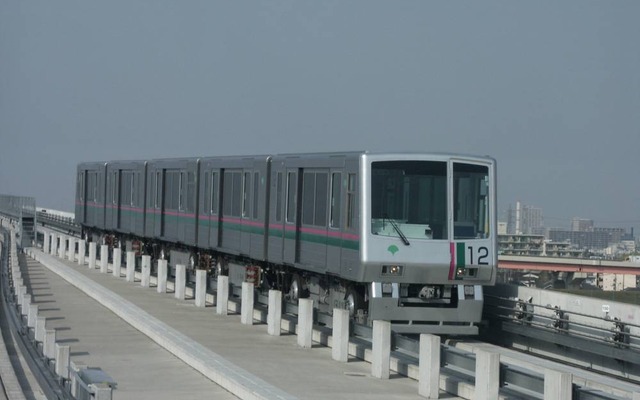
<point x="262" y="358"/>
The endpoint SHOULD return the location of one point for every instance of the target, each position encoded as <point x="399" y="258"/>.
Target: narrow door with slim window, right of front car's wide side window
<point x="334" y="233"/>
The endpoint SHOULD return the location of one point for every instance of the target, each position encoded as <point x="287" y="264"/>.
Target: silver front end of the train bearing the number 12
<point x="428" y="229"/>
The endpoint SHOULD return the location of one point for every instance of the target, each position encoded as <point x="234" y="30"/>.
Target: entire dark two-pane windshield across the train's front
<point x="409" y="200"/>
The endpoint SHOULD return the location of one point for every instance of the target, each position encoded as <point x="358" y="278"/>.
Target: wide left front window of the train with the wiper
<point x="409" y="199"/>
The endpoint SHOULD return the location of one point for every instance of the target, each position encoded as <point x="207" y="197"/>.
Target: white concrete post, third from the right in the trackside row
<point x="429" y="366"/>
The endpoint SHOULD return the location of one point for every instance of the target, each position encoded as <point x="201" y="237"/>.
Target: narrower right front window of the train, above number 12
<point x="470" y="201"/>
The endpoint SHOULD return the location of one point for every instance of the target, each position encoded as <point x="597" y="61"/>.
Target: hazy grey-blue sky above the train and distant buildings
<point x="551" y="89"/>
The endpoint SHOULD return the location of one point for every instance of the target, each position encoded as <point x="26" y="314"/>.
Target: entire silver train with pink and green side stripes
<point x="409" y="238"/>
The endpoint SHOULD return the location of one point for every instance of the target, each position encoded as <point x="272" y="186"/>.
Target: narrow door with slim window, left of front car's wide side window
<point x="291" y="216"/>
